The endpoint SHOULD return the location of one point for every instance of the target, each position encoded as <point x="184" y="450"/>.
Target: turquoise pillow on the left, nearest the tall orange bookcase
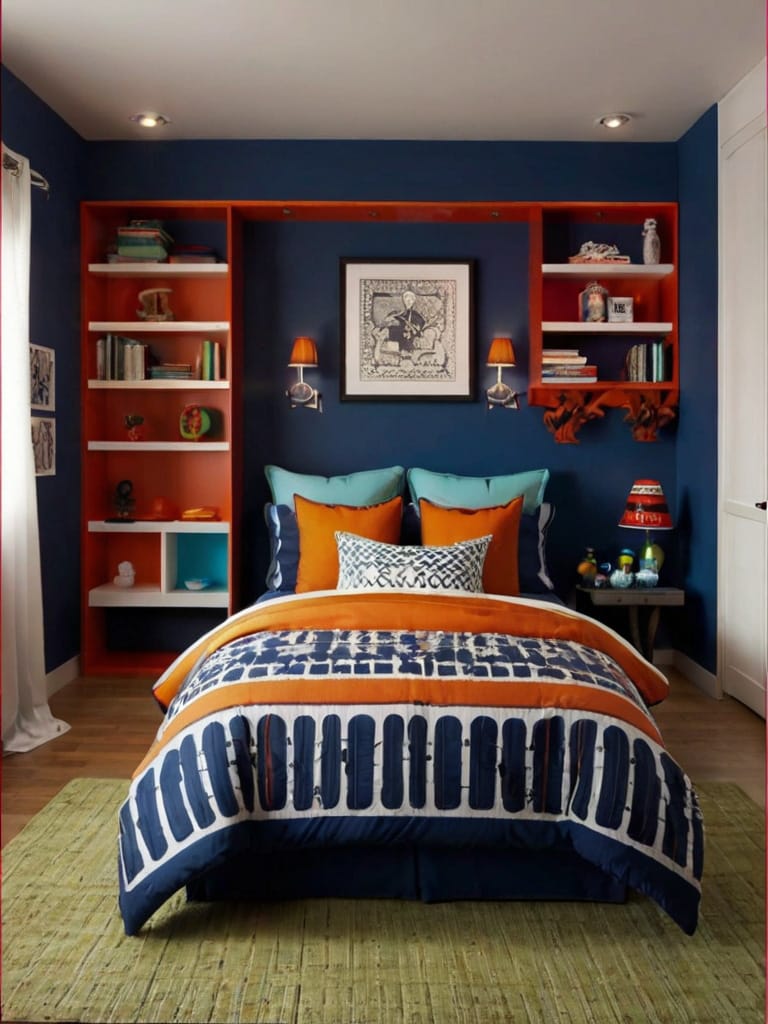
<point x="367" y="488"/>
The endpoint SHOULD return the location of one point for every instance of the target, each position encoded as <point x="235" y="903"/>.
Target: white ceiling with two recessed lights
<point x="382" y="69"/>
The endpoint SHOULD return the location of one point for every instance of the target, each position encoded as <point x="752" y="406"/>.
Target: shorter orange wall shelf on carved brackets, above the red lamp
<point x="651" y="398"/>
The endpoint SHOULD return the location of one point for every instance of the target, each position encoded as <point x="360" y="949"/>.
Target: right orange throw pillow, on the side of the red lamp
<point x="442" y="526"/>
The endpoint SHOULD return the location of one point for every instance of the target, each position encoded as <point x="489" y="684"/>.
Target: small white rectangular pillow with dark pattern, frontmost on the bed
<point x="378" y="566"/>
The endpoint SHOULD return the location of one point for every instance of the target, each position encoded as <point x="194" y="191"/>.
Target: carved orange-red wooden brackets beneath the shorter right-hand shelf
<point x="648" y="412"/>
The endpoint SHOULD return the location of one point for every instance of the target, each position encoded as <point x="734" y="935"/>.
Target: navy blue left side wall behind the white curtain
<point x="32" y="130"/>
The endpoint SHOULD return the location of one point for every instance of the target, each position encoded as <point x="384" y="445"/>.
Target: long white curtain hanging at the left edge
<point x="27" y="718"/>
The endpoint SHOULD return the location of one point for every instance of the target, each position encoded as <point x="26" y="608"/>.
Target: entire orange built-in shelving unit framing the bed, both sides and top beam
<point x="207" y="304"/>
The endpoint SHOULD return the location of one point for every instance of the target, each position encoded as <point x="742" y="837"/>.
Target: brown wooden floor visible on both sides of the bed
<point x="114" y="722"/>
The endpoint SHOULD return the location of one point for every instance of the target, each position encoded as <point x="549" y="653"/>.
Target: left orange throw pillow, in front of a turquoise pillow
<point x="319" y="557"/>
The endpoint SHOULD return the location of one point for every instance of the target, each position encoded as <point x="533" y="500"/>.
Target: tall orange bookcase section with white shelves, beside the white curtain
<point x="165" y="470"/>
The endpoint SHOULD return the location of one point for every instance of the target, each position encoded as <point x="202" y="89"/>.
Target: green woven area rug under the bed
<point x="372" y="962"/>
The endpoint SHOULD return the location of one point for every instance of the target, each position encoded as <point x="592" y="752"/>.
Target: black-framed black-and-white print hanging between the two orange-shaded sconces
<point x="407" y="330"/>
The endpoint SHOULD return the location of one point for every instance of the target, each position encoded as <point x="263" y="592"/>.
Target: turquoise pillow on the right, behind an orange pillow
<point x="479" y="492"/>
